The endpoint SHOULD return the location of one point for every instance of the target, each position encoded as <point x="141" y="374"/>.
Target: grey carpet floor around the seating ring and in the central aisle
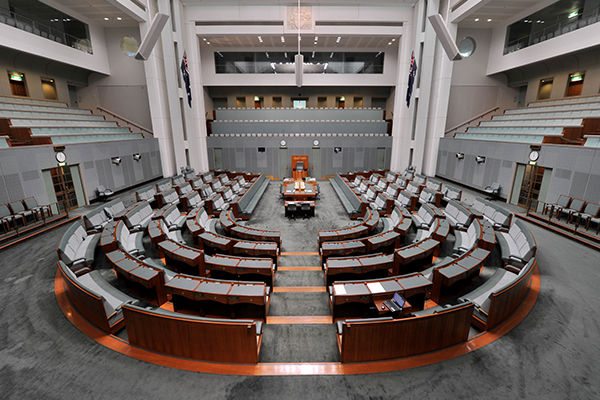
<point x="552" y="354"/>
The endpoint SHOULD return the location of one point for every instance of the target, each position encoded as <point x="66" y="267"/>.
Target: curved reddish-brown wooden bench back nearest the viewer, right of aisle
<point x="375" y="340"/>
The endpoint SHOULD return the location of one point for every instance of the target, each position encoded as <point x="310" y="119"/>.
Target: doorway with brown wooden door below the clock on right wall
<point x="530" y="186"/>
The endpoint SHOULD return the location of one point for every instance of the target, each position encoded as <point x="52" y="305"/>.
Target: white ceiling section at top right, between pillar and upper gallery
<point x="498" y="11"/>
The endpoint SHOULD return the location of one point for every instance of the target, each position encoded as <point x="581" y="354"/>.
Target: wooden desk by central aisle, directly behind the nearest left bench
<point x="217" y="298"/>
